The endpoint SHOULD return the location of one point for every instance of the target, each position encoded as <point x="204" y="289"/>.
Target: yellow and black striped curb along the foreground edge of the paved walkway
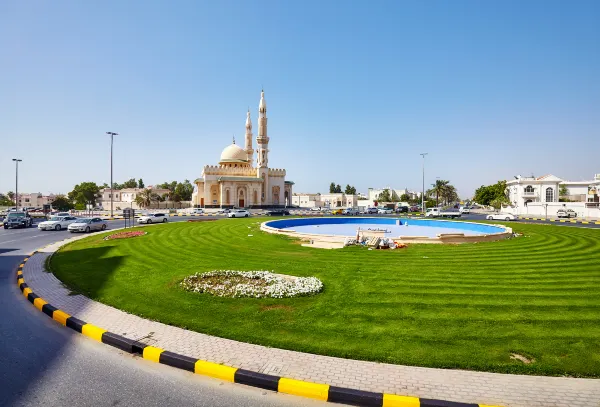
<point x="318" y="391"/>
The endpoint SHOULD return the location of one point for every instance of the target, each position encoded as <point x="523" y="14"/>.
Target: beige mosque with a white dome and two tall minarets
<point x="236" y="182"/>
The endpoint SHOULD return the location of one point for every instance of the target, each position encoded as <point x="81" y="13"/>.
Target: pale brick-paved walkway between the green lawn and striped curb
<point x="457" y="385"/>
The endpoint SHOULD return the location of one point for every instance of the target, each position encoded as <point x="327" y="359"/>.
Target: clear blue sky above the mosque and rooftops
<point x="355" y="90"/>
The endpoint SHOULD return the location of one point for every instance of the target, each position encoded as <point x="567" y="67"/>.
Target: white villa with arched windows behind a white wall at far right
<point x="542" y="196"/>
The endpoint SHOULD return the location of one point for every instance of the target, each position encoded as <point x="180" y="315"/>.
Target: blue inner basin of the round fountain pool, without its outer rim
<point x="348" y="226"/>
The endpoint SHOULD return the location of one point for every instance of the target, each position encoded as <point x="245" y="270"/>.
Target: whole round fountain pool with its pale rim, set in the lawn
<point x="334" y="229"/>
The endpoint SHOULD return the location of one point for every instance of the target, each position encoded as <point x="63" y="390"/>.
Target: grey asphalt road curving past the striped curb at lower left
<point x="44" y="364"/>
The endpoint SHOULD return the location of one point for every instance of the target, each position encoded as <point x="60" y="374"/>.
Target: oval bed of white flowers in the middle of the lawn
<point x="254" y="284"/>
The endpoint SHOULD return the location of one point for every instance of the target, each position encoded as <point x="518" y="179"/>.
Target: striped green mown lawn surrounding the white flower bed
<point x="466" y="306"/>
